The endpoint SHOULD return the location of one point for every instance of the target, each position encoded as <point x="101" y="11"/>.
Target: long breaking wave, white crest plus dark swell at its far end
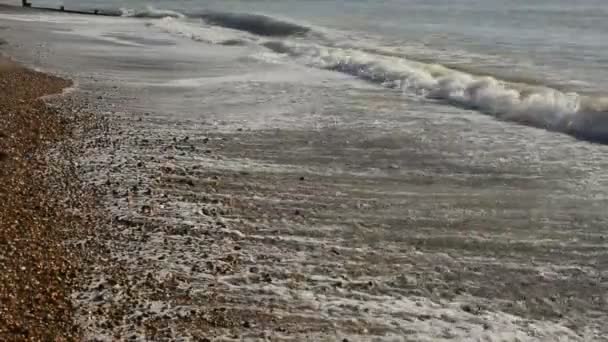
<point x="585" y="117"/>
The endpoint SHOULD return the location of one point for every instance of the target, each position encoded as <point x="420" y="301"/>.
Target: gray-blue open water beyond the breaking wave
<point x="550" y="40"/>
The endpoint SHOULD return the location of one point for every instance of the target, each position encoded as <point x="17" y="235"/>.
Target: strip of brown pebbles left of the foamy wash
<point x="37" y="194"/>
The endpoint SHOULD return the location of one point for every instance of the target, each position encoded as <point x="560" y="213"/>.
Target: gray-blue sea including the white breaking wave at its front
<point x="542" y="63"/>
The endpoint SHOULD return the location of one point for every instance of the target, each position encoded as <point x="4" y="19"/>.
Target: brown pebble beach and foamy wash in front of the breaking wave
<point x="224" y="194"/>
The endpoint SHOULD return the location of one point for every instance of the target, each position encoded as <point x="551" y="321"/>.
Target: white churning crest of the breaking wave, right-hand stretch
<point x="581" y="116"/>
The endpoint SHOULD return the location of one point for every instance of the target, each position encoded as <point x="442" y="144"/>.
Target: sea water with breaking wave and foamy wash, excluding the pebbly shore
<point x="456" y="149"/>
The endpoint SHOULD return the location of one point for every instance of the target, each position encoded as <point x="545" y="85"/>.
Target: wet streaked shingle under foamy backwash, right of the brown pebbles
<point x="243" y="235"/>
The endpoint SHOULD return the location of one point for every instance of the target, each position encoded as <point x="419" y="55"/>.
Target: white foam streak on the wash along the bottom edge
<point x="421" y="318"/>
